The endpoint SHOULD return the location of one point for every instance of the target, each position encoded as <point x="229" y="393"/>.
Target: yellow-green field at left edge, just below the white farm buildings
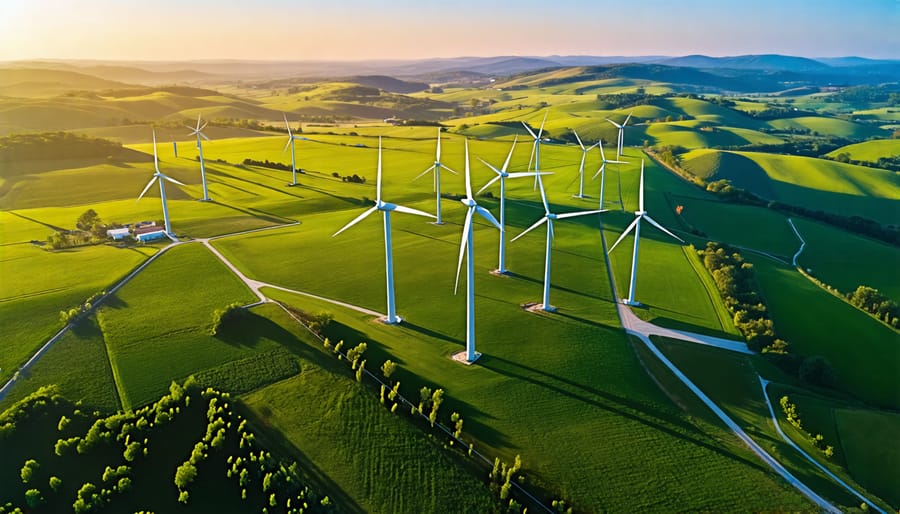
<point x="38" y="284"/>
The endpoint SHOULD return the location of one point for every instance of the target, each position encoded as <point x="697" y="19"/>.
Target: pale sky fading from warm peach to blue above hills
<point x="358" y="29"/>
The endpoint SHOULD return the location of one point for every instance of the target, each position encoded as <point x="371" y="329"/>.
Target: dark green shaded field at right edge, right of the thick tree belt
<point x="863" y="351"/>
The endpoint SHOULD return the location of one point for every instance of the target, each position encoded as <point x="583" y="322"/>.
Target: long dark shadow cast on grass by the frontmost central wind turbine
<point x="624" y="407"/>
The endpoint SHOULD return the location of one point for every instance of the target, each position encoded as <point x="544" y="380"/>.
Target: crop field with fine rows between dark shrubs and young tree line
<point x="405" y="471"/>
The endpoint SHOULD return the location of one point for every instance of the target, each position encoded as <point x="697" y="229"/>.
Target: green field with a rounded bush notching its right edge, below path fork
<point x="161" y="315"/>
